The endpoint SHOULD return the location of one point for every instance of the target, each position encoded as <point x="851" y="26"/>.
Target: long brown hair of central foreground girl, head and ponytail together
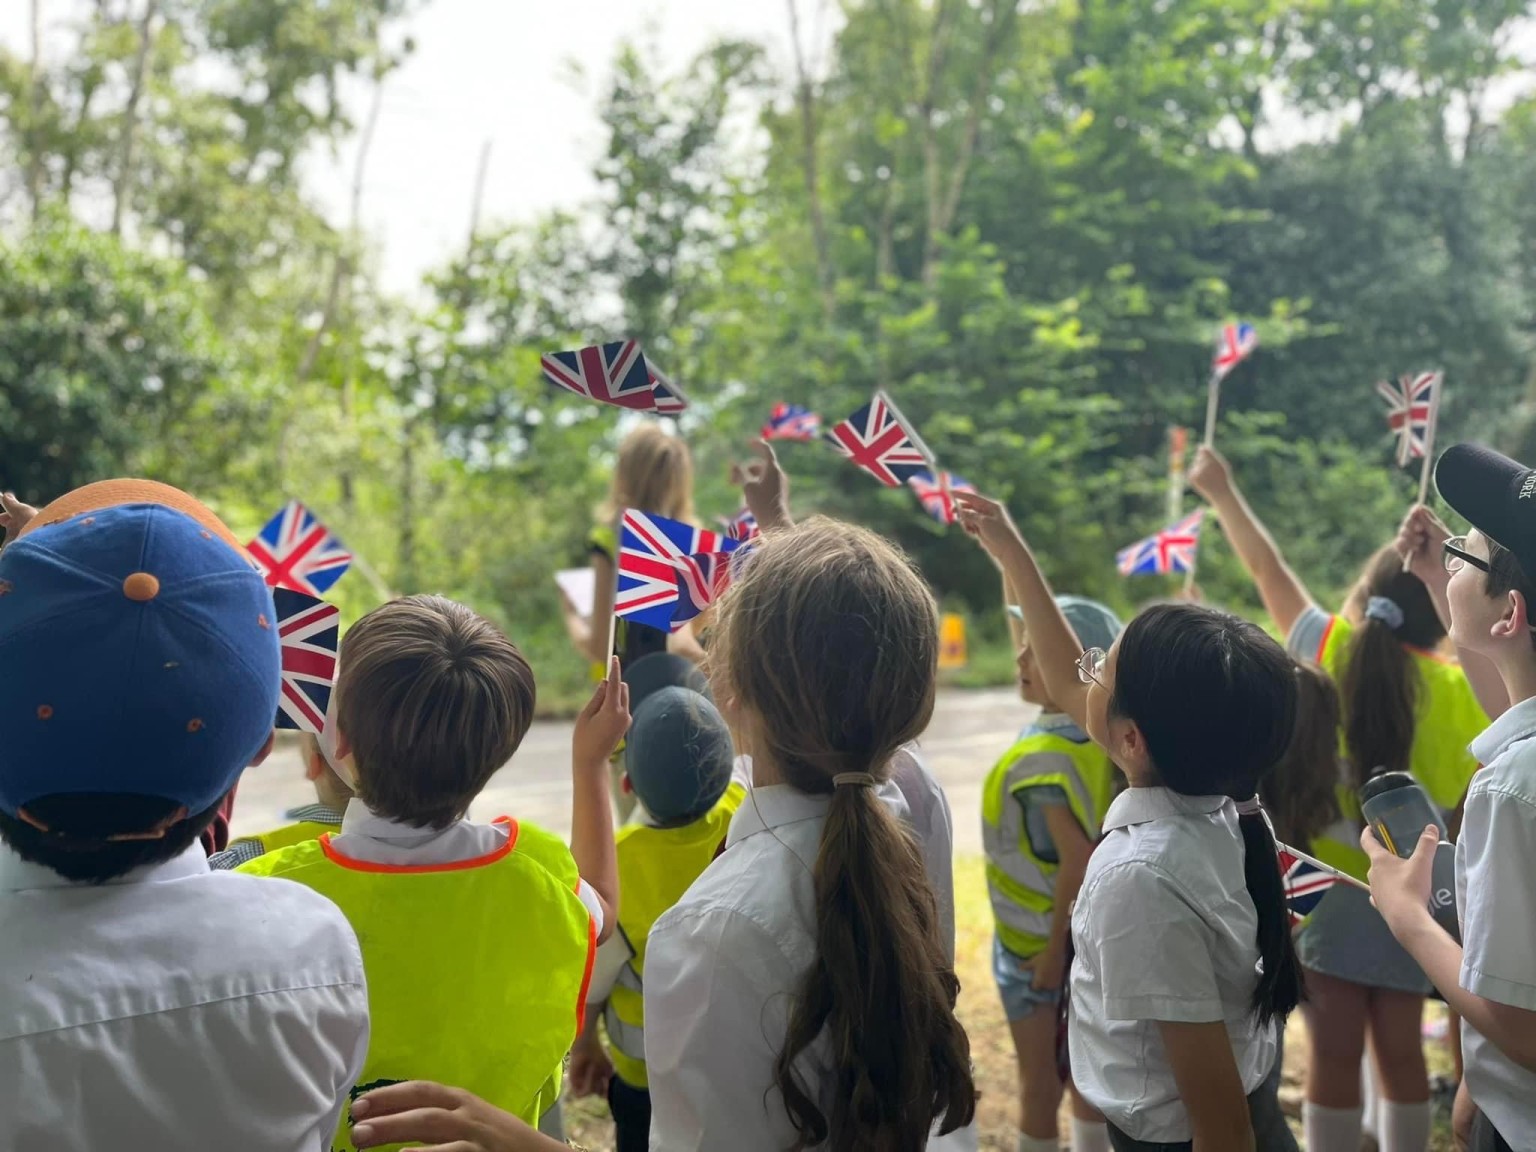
<point x="827" y="647"/>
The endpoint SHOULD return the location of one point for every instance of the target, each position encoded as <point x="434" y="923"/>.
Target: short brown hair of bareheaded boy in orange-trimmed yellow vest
<point x="434" y="701"/>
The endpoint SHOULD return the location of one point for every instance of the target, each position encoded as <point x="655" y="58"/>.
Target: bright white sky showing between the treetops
<point x="498" y="71"/>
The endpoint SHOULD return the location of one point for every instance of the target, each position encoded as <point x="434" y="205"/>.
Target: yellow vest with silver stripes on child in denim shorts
<point x="1021" y="881"/>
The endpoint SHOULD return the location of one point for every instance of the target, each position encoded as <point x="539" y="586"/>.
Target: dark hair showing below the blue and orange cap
<point x="76" y="844"/>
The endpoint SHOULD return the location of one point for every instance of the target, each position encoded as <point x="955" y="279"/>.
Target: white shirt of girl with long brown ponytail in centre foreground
<point x="721" y="973"/>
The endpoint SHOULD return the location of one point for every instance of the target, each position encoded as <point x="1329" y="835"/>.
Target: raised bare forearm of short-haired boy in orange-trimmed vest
<point x="600" y="729"/>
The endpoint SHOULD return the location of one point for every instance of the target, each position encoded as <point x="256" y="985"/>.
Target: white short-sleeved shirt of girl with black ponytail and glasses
<point x="1165" y="932"/>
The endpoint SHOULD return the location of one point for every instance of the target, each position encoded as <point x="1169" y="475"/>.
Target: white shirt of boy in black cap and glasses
<point x="1497" y="896"/>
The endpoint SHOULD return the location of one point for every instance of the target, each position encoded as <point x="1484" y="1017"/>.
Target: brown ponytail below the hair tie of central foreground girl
<point x="884" y="991"/>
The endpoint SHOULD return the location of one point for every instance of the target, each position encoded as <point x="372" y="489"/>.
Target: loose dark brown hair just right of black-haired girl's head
<point x="1302" y="795"/>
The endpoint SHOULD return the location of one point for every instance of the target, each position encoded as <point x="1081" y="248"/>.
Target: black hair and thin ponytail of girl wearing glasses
<point x="1216" y="701"/>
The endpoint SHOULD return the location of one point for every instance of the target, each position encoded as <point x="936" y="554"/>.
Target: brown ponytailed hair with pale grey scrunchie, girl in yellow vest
<point x="1382" y="683"/>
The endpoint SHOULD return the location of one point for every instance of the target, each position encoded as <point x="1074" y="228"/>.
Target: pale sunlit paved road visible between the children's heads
<point x="968" y="733"/>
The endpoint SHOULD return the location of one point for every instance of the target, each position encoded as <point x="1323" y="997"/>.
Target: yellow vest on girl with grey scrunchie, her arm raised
<point x="1446" y="721"/>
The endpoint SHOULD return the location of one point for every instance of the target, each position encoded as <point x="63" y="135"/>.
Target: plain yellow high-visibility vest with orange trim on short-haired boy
<point x="477" y="970"/>
